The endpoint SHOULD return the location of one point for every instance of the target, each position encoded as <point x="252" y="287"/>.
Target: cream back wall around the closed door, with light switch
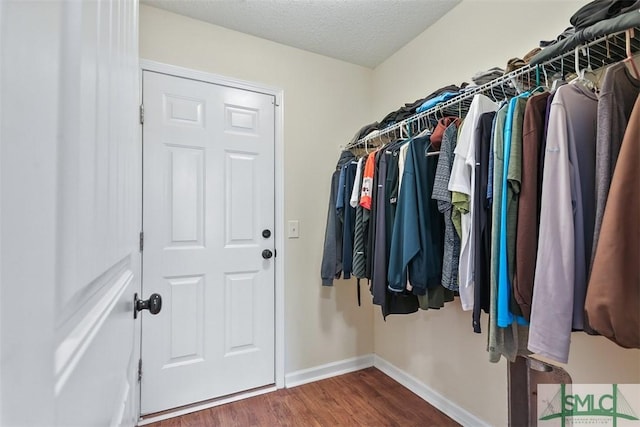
<point x="325" y="102"/>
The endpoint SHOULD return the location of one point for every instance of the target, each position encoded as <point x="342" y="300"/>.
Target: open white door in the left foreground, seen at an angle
<point x="70" y="196"/>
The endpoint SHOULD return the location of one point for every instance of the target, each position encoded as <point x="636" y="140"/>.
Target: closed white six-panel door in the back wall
<point x="208" y="190"/>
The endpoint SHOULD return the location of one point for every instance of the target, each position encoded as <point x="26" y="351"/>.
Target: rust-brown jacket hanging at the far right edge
<point x="613" y="295"/>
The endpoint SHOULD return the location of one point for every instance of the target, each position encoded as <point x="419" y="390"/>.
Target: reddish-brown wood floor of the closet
<point x="362" y="398"/>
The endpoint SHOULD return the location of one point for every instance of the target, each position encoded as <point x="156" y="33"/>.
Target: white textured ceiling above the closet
<point x="363" y="32"/>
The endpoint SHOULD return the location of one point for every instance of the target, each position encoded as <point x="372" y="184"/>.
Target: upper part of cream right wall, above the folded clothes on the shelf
<point x="475" y="35"/>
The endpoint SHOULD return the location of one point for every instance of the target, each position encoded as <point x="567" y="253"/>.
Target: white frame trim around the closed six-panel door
<point x="278" y="94"/>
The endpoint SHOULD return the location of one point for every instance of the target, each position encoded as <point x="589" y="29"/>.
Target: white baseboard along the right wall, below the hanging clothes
<point x="434" y="398"/>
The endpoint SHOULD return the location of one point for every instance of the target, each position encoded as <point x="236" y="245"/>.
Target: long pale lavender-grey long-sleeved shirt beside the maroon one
<point x="566" y="222"/>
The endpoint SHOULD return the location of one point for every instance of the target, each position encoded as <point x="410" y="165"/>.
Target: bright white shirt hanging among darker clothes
<point x="463" y="181"/>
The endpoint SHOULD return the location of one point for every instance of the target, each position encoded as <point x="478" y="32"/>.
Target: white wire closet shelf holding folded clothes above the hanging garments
<point x="591" y="55"/>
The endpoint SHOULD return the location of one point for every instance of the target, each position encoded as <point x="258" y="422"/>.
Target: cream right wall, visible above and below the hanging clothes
<point x="439" y="347"/>
